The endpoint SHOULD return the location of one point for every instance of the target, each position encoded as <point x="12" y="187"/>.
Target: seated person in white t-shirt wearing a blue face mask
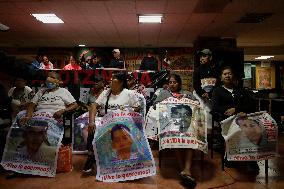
<point x="53" y="99"/>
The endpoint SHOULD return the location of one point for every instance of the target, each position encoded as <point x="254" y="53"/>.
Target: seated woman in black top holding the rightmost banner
<point x="228" y="100"/>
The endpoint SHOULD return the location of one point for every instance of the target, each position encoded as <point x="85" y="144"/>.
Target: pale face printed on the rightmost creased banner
<point x="252" y="130"/>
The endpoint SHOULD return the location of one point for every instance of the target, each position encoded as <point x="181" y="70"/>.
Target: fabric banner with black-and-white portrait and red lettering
<point x="182" y="124"/>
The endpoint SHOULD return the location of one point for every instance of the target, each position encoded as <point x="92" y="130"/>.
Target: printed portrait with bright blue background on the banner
<point x="119" y="145"/>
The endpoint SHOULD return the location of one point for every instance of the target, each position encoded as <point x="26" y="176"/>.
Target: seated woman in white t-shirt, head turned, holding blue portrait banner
<point x="116" y="97"/>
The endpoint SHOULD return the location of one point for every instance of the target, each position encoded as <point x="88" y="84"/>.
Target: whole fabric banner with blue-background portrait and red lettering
<point x="121" y="149"/>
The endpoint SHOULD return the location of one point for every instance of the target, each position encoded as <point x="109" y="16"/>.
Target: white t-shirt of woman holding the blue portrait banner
<point x="126" y="98"/>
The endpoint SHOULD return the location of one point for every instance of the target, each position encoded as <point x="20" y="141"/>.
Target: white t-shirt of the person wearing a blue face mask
<point x="52" y="101"/>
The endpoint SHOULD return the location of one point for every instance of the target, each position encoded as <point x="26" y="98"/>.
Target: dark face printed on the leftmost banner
<point x="34" y="139"/>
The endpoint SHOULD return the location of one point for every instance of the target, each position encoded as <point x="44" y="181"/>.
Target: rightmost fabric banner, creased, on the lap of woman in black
<point x="250" y="138"/>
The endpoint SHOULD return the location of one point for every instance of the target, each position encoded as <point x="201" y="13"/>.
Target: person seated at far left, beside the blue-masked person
<point x="20" y="95"/>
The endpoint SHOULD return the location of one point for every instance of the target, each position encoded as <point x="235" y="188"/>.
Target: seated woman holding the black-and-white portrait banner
<point x="184" y="156"/>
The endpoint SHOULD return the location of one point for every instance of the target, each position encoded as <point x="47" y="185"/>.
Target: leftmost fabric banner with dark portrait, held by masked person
<point x="32" y="148"/>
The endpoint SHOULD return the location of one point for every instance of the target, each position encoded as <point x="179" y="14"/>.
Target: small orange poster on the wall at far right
<point x="265" y="77"/>
